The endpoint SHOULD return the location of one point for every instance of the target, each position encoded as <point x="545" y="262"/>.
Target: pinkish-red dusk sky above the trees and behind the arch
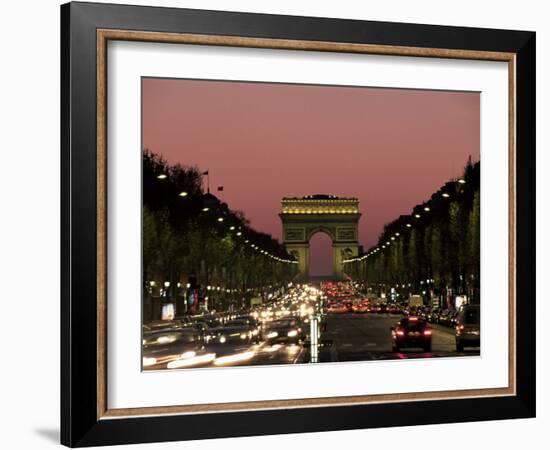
<point x="391" y="148"/>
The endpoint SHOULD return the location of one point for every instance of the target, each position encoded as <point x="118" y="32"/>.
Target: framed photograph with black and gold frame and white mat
<point x="276" y="224"/>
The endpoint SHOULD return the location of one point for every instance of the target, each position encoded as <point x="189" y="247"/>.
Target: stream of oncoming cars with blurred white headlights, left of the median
<point x="218" y="338"/>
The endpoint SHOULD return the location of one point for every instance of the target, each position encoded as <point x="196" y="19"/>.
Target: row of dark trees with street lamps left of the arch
<point x="194" y="243"/>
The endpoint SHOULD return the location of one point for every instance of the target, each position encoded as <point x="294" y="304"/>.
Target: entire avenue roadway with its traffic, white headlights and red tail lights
<point x="303" y="323"/>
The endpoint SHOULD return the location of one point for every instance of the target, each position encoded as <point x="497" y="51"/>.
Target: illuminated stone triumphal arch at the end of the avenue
<point x="303" y="217"/>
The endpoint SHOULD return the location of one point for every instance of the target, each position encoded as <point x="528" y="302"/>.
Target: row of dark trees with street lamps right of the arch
<point x="434" y="251"/>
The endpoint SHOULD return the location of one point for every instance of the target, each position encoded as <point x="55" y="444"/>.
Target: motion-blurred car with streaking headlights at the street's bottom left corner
<point x="163" y="346"/>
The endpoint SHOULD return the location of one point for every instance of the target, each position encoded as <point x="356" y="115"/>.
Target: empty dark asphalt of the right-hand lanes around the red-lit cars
<point x="357" y="337"/>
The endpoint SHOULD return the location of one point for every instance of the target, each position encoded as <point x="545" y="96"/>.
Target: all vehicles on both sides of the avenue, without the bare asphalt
<point x="218" y="338"/>
